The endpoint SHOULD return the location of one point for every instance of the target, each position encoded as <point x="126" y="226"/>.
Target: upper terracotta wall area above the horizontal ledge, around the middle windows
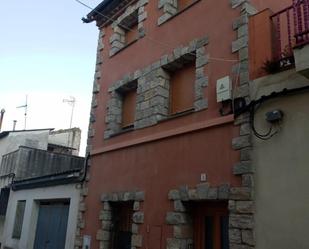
<point x="180" y="30"/>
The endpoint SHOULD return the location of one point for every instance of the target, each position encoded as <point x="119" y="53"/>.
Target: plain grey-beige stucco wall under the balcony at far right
<point x="282" y="167"/>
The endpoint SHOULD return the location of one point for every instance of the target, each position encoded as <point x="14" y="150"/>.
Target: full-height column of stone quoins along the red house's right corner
<point x="242" y="209"/>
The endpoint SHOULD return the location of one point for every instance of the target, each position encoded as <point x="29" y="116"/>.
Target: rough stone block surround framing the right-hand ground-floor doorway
<point x="241" y="219"/>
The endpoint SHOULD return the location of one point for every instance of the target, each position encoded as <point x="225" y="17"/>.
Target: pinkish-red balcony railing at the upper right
<point x="291" y="29"/>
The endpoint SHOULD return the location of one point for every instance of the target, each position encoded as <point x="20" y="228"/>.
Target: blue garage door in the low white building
<point x="51" y="226"/>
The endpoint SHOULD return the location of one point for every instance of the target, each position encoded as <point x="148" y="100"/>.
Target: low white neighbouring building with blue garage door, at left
<point x="40" y="178"/>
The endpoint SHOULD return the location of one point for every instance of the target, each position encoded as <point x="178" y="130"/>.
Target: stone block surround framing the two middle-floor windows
<point x="153" y="99"/>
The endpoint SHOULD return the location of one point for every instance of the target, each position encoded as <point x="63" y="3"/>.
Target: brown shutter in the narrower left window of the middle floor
<point x="128" y="108"/>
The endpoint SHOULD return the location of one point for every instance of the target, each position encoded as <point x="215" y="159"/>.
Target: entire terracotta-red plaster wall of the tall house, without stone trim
<point x="174" y="152"/>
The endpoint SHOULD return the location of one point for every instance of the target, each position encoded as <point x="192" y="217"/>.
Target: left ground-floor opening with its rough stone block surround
<point x="121" y="217"/>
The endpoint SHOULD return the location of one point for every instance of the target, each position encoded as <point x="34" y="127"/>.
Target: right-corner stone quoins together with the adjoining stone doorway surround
<point x="240" y="199"/>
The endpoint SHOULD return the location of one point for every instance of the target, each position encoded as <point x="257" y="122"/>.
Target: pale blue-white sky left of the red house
<point x="47" y="53"/>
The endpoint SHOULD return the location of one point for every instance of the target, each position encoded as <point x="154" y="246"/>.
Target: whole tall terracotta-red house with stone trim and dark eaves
<point x="170" y="164"/>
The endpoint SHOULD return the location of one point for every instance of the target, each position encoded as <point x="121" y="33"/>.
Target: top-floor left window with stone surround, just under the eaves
<point x="128" y="27"/>
